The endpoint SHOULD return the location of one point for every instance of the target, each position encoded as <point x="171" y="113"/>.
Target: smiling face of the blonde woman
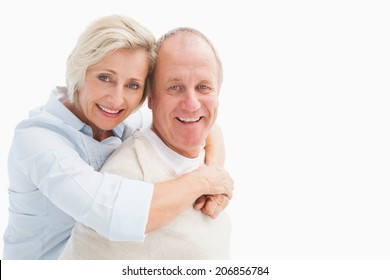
<point x="112" y="89"/>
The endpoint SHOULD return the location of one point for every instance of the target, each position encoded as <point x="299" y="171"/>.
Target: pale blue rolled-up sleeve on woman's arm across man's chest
<point x="115" y="207"/>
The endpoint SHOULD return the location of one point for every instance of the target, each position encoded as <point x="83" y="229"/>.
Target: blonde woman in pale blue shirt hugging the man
<point x="56" y="153"/>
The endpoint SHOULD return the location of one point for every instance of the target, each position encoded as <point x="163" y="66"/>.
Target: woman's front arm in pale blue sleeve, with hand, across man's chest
<point x="116" y="207"/>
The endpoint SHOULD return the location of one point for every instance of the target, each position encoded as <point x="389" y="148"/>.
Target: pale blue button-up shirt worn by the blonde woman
<point x="54" y="181"/>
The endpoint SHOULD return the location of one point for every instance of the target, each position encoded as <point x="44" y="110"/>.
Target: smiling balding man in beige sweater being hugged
<point x="184" y="95"/>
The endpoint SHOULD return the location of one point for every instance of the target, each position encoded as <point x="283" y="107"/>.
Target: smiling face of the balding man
<point x="184" y="97"/>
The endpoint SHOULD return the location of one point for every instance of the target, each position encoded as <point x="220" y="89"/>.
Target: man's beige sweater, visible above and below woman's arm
<point x="192" y="235"/>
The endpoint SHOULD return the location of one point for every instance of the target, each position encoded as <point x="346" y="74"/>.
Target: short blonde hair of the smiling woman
<point x="102" y="37"/>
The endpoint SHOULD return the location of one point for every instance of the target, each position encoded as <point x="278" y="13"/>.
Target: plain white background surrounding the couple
<point x="304" y="110"/>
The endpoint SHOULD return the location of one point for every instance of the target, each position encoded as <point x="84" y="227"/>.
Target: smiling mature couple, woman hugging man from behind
<point x="155" y="187"/>
